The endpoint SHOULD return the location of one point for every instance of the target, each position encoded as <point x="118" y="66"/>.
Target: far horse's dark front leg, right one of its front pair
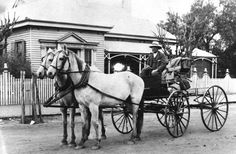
<point x="72" y="125"/>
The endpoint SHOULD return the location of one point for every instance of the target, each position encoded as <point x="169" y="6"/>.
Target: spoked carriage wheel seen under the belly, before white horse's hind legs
<point x="122" y="120"/>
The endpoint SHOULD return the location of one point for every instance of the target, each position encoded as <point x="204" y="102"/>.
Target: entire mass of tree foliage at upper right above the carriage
<point x="208" y="28"/>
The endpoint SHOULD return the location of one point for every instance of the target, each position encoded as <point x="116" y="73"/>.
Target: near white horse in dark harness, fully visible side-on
<point x="100" y="89"/>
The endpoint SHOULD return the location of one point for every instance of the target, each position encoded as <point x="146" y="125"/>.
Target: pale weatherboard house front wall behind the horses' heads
<point x="32" y="35"/>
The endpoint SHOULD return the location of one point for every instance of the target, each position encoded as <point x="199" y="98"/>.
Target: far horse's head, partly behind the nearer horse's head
<point x="45" y="63"/>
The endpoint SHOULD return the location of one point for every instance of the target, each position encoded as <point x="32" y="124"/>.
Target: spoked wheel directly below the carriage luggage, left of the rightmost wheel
<point x="177" y="113"/>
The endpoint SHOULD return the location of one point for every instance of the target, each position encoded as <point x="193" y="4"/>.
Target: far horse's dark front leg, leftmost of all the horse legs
<point x="64" y="122"/>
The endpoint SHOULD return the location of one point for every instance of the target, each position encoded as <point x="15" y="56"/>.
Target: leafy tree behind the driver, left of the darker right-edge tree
<point x="195" y="29"/>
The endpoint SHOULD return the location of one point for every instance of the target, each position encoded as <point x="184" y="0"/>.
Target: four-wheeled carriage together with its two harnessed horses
<point x="129" y="97"/>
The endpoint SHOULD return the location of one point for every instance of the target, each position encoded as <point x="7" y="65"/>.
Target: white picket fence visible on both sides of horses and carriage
<point x="11" y="88"/>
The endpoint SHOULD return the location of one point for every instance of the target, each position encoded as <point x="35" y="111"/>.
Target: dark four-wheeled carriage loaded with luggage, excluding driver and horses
<point x="172" y="105"/>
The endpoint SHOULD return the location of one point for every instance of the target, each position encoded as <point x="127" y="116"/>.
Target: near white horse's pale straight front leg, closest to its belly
<point x="96" y="124"/>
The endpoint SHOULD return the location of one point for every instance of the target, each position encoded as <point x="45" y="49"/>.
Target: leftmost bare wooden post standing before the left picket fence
<point x="22" y="80"/>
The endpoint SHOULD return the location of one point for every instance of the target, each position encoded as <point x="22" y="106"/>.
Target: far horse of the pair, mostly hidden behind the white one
<point x="62" y="83"/>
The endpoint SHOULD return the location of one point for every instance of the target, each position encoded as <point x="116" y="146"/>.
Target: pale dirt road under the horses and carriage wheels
<point x="45" y="138"/>
